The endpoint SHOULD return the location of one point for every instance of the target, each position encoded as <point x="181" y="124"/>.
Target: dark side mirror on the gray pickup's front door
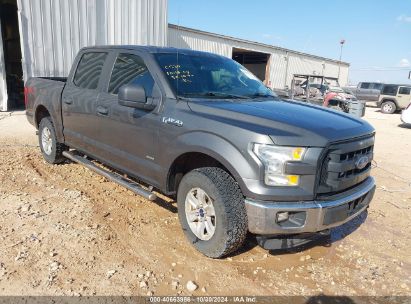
<point x="134" y="96"/>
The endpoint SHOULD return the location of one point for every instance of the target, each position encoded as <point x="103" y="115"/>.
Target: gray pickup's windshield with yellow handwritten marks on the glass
<point x="197" y="75"/>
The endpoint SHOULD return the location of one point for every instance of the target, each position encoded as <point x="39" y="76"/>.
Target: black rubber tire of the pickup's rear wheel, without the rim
<point x="55" y="156"/>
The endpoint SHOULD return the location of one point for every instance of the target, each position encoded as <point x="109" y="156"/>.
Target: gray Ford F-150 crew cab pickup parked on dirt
<point x="202" y="128"/>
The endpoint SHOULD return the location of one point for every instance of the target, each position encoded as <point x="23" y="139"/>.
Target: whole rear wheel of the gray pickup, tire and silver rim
<point x="51" y="149"/>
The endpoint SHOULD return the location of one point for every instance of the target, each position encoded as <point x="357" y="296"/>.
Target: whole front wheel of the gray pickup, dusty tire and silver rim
<point x="212" y="212"/>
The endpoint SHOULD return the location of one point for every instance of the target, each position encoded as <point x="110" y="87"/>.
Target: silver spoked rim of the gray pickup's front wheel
<point x="200" y="214"/>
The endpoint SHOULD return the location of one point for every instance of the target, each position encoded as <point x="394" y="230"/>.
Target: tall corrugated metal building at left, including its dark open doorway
<point x="42" y="37"/>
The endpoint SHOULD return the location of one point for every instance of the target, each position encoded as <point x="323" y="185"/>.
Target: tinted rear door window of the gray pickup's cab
<point x="89" y="70"/>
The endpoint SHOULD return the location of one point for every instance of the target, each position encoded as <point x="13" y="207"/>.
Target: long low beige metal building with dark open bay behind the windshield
<point x="274" y="65"/>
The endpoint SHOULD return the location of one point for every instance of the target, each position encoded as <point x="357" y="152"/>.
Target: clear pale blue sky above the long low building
<point x="377" y="33"/>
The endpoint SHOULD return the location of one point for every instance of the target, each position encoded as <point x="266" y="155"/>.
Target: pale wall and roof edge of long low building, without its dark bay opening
<point x="283" y="63"/>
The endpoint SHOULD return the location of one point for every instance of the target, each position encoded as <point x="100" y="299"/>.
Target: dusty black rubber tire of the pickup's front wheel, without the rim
<point x="231" y="224"/>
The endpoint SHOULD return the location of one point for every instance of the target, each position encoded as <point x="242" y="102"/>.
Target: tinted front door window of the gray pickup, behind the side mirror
<point x="127" y="69"/>
